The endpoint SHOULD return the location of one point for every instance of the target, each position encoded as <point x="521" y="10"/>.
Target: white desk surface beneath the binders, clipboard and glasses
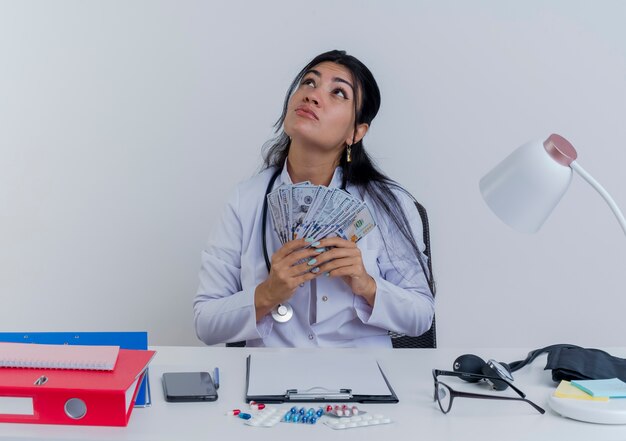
<point x="415" y="417"/>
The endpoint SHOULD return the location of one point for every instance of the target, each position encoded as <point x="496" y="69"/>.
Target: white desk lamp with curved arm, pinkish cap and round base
<point x="522" y="191"/>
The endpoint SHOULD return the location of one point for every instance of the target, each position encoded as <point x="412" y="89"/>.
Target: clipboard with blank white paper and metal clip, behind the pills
<point x="316" y="377"/>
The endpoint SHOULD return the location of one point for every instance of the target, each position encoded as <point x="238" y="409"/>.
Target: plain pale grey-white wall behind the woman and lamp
<point x="125" y="124"/>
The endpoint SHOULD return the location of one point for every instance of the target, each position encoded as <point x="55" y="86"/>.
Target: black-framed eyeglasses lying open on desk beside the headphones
<point x="444" y="394"/>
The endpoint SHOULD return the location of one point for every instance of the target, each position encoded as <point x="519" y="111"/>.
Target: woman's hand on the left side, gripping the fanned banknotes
<point x="285" y="276"/>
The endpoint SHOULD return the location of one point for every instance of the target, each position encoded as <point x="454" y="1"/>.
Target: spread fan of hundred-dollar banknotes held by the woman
<point x="313" y="211"/>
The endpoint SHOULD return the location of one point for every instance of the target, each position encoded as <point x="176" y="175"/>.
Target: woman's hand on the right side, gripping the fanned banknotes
<point x="344" y="260"/>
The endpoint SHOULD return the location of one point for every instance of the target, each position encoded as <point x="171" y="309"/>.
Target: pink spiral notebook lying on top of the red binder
<point x="29" y="355"/>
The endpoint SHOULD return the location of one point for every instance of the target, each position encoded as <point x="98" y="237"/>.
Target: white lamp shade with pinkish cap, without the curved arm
<point x="524" y="188"/>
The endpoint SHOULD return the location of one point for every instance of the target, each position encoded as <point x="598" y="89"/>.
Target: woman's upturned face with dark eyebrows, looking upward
<point x="321" y="110"/>
